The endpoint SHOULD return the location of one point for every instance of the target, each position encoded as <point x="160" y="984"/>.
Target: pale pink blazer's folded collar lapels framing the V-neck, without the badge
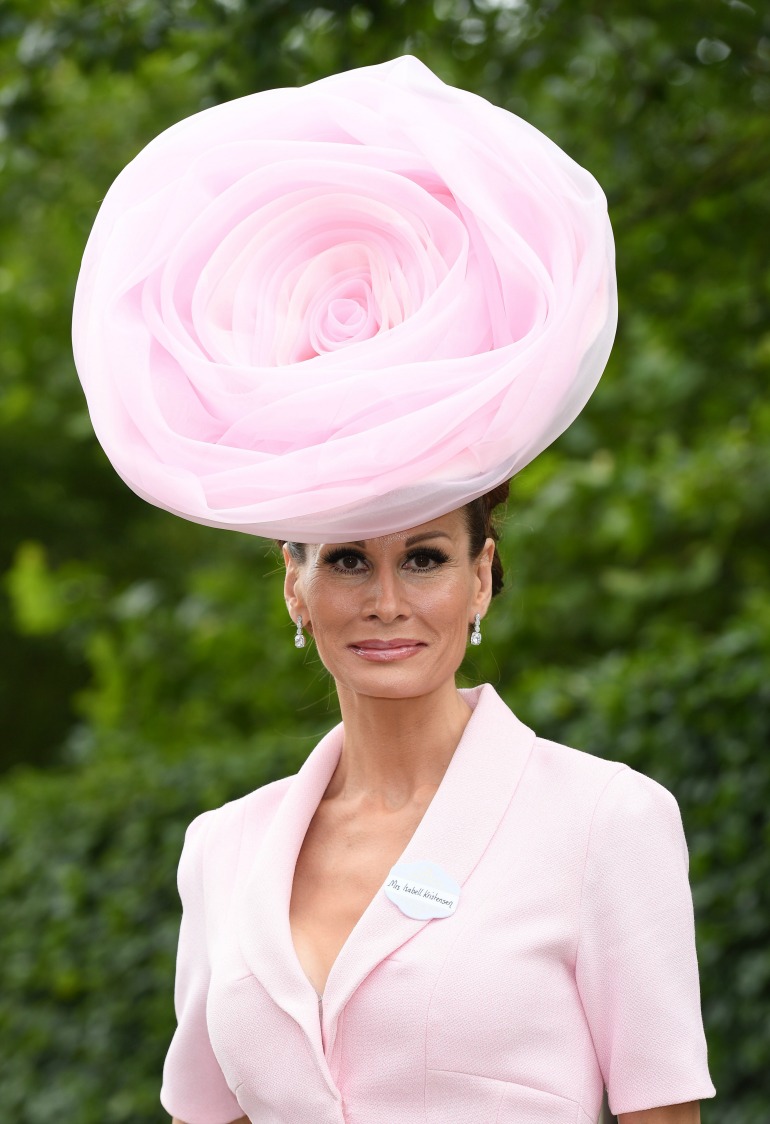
<point x="483" y="775"/>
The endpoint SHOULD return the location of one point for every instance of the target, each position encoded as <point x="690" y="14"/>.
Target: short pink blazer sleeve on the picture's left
<point x="195" y="1089"/>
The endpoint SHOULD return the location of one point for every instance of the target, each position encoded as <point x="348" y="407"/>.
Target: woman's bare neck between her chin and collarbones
<point x="397" y="751"/>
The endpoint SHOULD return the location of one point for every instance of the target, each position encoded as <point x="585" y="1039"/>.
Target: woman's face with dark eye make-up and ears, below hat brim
<point x="391" y="615"/>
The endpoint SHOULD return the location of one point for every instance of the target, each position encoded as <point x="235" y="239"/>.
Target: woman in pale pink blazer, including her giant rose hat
<point x="442" y="918"/>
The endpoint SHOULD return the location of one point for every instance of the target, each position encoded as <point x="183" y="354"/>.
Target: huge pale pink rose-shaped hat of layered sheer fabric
<point x="340" y="311"/>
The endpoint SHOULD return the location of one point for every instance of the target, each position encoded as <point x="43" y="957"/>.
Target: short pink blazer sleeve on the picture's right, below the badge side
<point x="637" y="966"/>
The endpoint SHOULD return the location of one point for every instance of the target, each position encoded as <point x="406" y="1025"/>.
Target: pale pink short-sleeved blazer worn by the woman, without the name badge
<point x="570" y="960"/>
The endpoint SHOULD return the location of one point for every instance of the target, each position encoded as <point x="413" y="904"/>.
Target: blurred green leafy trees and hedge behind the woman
<point x="149" y="670"/>
